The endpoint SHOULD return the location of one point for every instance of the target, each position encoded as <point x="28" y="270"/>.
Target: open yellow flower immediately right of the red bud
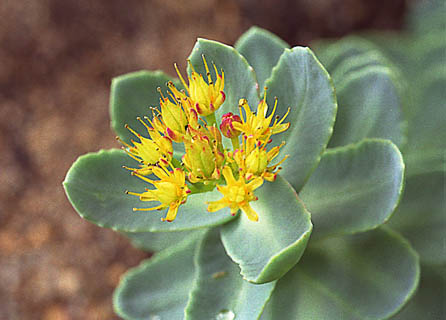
<point x="258" y="124"/>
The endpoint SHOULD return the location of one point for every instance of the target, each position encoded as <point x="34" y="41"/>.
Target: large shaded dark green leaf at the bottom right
<point x="366" y="276"/>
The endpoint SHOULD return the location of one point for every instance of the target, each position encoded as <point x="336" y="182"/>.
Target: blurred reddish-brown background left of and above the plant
<point x="57" y="59"/>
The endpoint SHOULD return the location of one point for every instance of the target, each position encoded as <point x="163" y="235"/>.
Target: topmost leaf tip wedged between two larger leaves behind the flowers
<point x="262" y="49"/>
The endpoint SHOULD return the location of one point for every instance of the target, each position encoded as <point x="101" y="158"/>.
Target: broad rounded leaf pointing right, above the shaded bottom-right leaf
<point x="355" y="188"/>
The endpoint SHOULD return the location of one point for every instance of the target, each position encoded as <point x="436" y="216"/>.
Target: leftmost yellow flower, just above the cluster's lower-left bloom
<point x="157" y="150"/>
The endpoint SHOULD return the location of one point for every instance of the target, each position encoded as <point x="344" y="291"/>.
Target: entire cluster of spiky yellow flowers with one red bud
<point x="188" y="117"/>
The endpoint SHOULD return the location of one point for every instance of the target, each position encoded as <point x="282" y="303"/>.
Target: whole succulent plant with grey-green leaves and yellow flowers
<point x="261" y="220"/>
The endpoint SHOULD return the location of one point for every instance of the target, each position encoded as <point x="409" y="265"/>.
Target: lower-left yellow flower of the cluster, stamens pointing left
<point x="171" y="190"/>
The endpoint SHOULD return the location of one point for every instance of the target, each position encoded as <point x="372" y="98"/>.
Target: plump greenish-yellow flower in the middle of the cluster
<point x="204" y="157"/>
